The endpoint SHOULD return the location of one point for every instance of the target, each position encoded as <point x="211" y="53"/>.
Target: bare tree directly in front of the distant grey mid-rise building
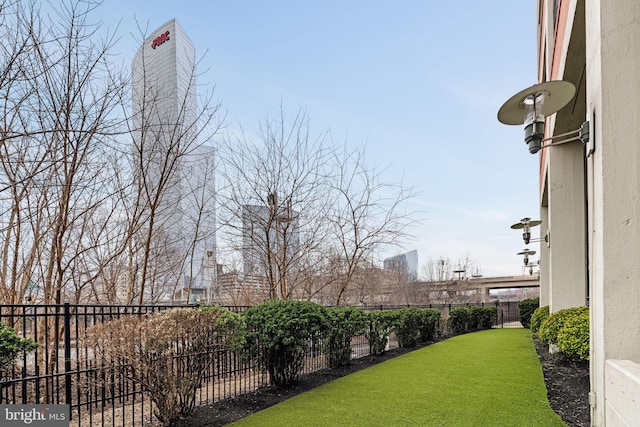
<point x="275" y="198"/>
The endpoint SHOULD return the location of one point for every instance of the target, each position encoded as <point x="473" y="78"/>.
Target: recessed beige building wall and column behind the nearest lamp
<point x="563" y="210"/>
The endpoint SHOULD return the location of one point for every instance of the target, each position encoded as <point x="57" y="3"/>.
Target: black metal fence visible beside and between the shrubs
<point x="62" y="369"/>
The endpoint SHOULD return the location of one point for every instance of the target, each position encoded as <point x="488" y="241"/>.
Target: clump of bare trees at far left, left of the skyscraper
<point x="60" y="92"/>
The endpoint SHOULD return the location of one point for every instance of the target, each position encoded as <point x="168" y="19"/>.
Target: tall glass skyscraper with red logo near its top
<point x="173" y="173"/>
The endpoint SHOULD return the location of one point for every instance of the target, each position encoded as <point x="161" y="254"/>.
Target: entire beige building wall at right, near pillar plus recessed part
<point x="604" y="55"/>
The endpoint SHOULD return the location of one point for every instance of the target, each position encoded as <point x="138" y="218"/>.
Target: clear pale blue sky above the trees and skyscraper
<point x="419" y="82"/>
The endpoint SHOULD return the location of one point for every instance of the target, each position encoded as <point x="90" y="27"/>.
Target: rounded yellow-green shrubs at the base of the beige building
<point x="568" y="329"/>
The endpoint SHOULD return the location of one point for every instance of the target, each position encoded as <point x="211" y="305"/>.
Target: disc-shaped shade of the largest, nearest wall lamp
<point x="557" y="94"/>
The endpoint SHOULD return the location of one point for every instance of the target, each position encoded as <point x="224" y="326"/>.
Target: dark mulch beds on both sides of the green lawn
<point x="567" y="386"/>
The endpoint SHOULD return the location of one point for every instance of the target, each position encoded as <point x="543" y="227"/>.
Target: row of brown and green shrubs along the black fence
<point x="278" y="335"/>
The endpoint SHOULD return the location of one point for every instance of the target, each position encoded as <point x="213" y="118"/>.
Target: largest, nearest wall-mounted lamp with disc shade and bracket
<point x="532" y="105"/>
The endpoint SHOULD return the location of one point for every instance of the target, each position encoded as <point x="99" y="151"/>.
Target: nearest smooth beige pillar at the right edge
<point x="613" y="70"/>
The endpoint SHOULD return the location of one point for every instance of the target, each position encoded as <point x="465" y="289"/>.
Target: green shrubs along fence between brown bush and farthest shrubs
<point x="279" y="332"/>
